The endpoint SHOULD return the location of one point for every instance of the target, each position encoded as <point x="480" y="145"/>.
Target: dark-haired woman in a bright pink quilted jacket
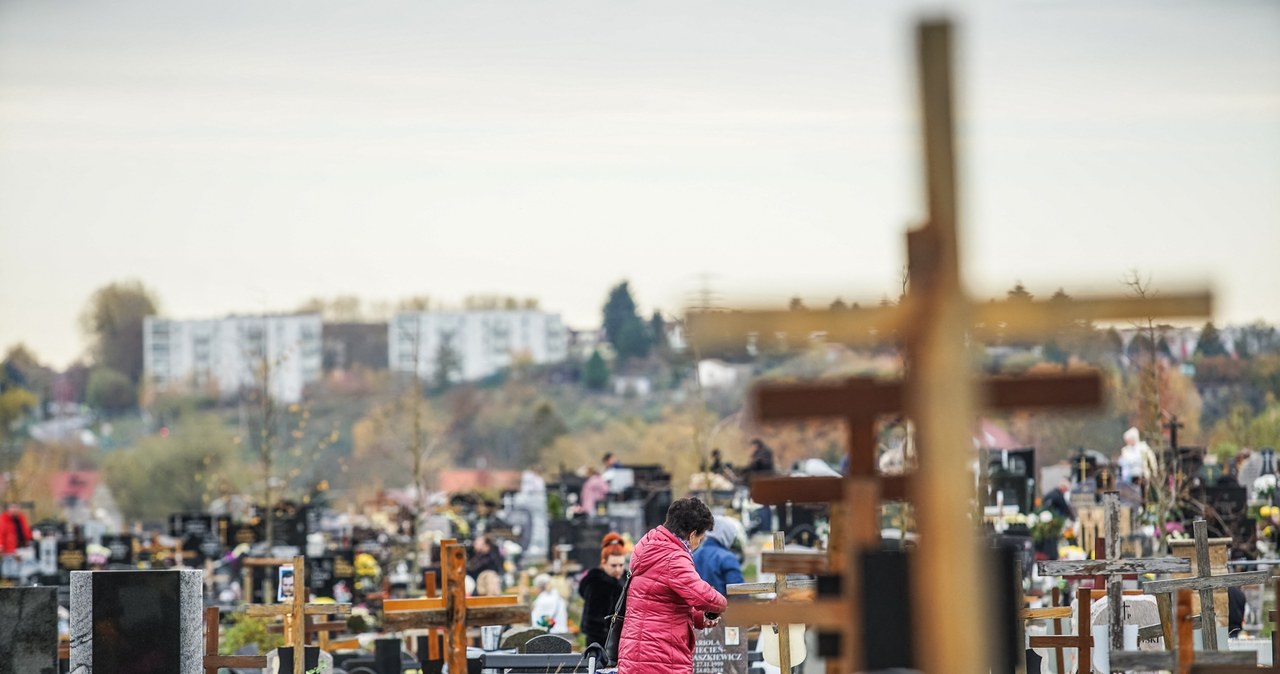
<point x="668" y="600"/>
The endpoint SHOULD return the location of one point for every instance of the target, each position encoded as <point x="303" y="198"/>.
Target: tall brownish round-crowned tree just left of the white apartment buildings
<point x="112" y="320"/>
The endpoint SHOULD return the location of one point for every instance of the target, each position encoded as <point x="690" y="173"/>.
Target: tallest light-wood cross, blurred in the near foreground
<point x="934" y="323"/>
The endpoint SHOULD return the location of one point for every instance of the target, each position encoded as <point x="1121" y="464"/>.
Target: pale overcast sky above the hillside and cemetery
<point x="243" y="157"/>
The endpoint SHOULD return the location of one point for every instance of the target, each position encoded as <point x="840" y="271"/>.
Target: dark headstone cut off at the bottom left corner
<point x="29" y="631"/>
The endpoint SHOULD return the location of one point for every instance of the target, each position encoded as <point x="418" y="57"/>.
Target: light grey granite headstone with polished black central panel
<point x="138" y="622"/>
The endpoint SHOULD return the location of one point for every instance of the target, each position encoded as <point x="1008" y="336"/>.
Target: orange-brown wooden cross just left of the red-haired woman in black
<point x="455" y="612"/>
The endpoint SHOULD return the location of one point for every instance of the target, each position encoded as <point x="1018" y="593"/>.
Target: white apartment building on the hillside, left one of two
<point x="228" y="355"/>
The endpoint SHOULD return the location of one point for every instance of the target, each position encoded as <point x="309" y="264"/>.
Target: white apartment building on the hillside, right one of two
<point x="483" y="342"/>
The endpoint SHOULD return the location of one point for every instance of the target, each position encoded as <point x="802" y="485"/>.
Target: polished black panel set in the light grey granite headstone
<point x="136" y="623"/>
